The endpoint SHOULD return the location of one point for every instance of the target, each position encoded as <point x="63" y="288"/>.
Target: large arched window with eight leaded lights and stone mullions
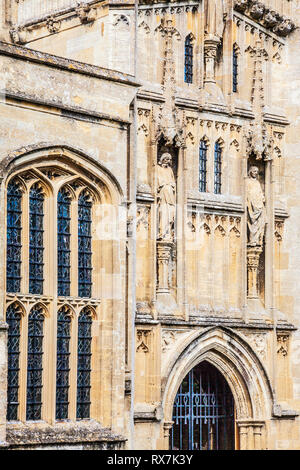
<point x="37" y="284"/>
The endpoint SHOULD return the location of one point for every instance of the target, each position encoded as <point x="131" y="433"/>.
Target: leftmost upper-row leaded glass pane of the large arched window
<point x="14" y="244"/>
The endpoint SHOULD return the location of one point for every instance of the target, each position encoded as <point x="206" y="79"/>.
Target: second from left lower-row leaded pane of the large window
<point x="35" y="364"/>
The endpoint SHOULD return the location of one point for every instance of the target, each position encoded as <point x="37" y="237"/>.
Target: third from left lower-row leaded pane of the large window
<point x="62" y="362"/>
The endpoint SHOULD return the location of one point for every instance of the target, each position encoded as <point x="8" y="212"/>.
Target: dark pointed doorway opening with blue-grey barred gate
<point x="203" y="412"/>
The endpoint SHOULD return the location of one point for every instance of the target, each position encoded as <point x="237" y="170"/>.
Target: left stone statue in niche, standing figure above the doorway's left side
<point x="166" y="194"/>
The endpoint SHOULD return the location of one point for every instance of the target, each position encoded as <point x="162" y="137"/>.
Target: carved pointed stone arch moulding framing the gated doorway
<point x="241" y="367"/>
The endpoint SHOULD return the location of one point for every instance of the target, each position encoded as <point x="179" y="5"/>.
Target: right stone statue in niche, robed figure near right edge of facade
<point x="256" y="211"/>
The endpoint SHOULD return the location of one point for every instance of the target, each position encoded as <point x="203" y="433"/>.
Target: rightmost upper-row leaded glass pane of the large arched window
<point x="84" y="245"/>
